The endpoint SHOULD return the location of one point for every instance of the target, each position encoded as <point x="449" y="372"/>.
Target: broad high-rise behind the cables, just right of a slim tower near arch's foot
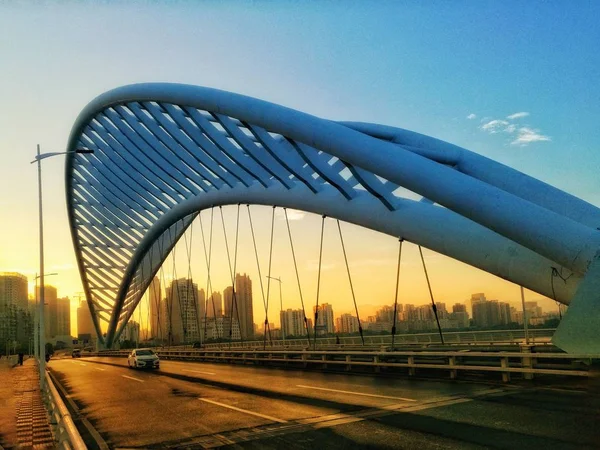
<point x="182" y="312"/>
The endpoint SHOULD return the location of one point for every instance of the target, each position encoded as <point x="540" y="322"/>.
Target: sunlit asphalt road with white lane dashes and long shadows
<point x="199" y="405"/>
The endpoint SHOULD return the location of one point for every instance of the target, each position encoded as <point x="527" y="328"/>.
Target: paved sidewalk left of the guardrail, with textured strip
<point x="23" y="417"/>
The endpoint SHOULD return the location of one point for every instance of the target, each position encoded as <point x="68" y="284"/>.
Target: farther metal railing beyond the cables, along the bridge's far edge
<point x="489" y="337"/>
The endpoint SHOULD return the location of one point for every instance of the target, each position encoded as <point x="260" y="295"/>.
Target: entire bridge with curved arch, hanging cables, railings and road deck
<point x="159" y="155"/>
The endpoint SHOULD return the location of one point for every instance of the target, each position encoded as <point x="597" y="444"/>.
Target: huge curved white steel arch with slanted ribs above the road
<point x="164" y="152"/>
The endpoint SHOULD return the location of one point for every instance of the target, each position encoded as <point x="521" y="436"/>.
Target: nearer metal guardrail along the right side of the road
<point x="524" y="362"/>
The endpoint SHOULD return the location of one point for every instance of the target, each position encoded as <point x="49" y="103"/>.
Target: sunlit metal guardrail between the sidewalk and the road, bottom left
<point x="65" y="431"/>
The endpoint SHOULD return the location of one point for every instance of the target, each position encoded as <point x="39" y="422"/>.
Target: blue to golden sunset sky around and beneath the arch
<point x="514" y="81"/>
